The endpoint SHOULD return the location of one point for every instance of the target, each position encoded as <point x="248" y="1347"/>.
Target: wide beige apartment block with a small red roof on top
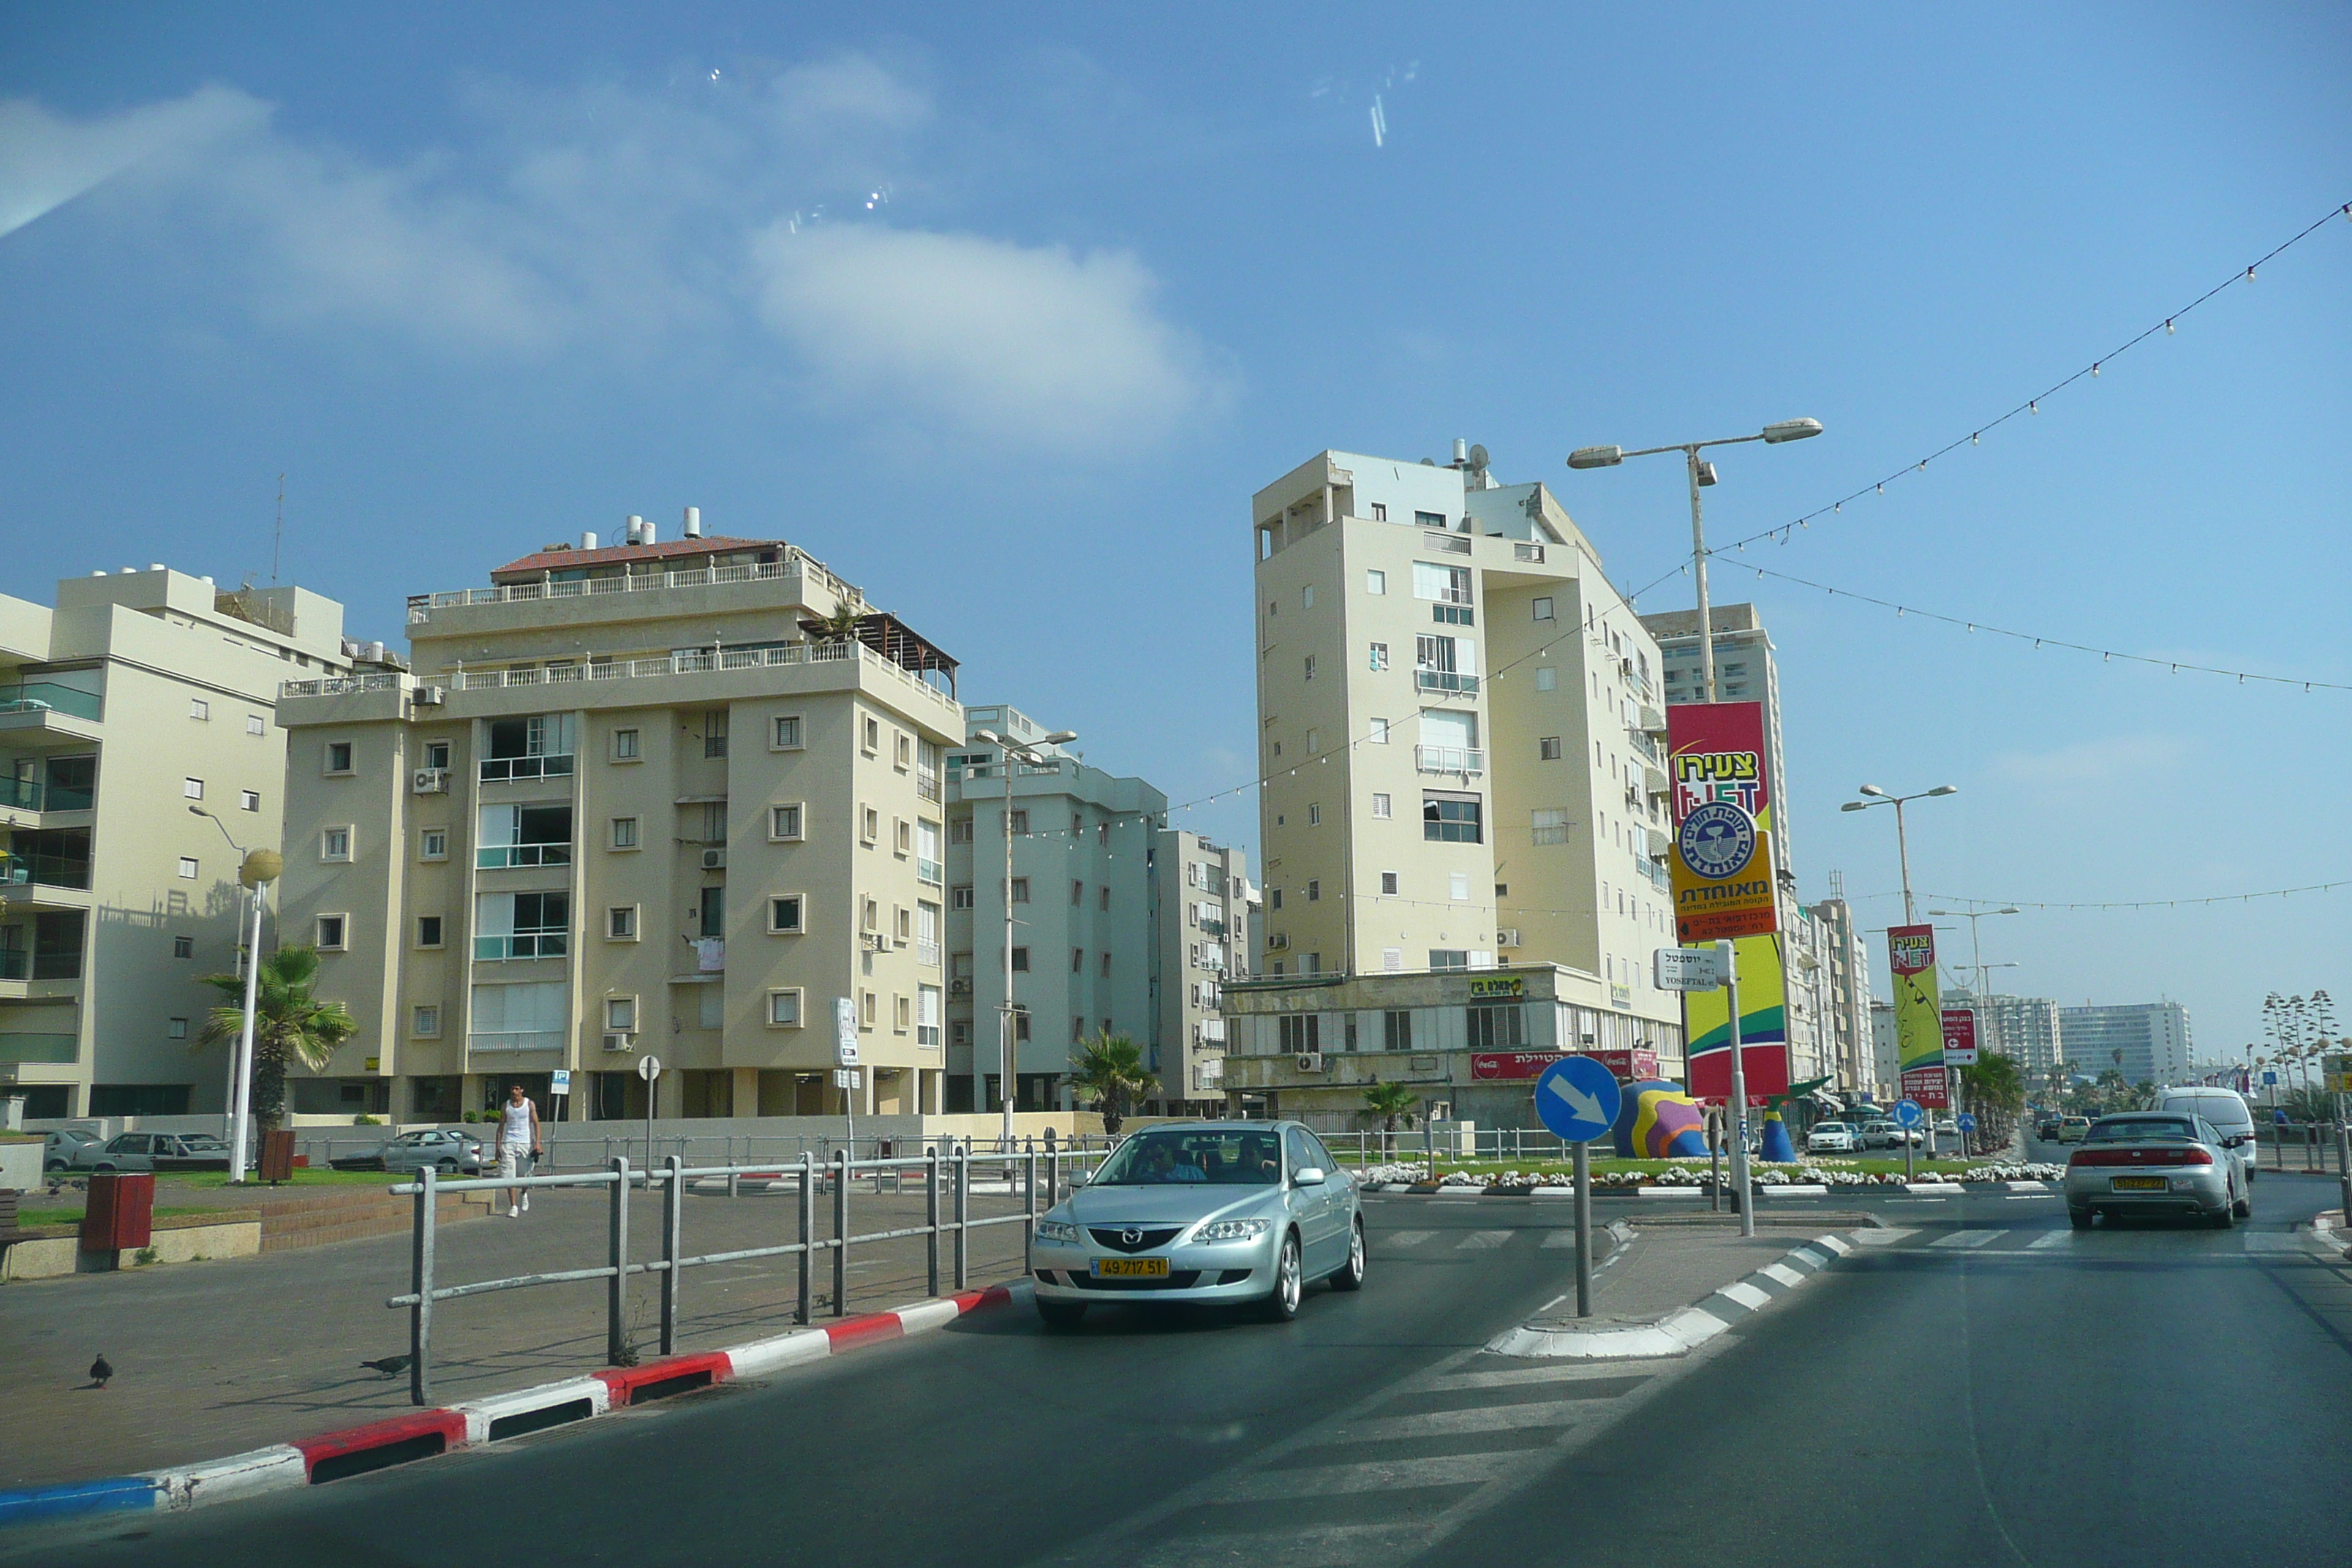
<point x="639" y="800"/>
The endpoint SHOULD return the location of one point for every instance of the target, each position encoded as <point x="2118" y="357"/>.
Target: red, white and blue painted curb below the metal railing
<point x="422" y="1435"/>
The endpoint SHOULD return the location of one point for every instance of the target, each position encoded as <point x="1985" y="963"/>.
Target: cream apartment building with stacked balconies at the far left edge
<point x="135" y="704"/>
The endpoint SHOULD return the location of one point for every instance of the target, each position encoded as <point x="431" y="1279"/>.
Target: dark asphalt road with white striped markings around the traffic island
<point x="1991" y="1388"/>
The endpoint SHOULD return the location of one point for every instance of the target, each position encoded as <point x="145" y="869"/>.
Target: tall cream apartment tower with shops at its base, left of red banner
<point x="1462" y="735"/>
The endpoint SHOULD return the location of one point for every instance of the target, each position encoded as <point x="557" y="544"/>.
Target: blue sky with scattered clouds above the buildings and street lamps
<point x="1008" y="316"/>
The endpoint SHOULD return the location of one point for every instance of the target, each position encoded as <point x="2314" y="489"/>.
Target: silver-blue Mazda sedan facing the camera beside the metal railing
<point x="1203" y="1212"/>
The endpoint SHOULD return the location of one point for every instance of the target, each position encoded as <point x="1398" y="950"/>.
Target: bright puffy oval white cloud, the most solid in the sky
<point x="1010" y="342"/>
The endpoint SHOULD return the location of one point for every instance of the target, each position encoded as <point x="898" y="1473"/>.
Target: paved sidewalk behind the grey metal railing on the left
<point x="220" y="1358"/>
